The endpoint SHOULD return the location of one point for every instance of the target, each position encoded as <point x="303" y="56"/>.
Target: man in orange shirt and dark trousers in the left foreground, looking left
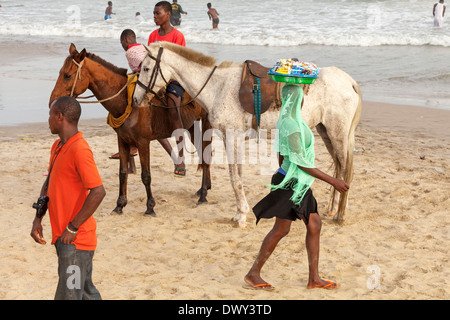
<point x="75" y="190"/>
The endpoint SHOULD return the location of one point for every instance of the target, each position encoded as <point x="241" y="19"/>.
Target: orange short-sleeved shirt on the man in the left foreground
<point x="74" y="172"/>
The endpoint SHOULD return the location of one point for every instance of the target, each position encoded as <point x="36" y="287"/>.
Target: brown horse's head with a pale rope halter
<point x="71" y="81"/>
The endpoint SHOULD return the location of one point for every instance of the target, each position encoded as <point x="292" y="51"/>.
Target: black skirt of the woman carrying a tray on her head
<point x="278" y="204"/>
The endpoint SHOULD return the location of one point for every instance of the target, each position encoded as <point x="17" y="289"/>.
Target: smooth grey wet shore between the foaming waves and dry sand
<point x="29" y="70"/>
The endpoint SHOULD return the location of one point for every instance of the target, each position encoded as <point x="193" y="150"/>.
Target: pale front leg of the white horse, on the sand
<point x="236" y="183"/>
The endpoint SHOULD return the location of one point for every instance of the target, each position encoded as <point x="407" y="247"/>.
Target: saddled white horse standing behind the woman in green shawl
<point x="332" y="105"/>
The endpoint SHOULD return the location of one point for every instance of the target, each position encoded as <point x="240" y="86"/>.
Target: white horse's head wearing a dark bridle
<point x="153" y="74"/>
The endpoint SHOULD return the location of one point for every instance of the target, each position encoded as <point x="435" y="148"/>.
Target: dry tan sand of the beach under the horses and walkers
<point x="395" y="234"/>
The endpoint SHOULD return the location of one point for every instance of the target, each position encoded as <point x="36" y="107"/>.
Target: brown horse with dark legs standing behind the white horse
<point x="82" y="71"/>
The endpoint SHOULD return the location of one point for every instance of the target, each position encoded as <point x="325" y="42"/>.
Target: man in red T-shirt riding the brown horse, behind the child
<point x="174" y="91"/>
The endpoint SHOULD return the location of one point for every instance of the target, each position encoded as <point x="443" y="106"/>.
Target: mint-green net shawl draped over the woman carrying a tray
<point x="295" y="142"/>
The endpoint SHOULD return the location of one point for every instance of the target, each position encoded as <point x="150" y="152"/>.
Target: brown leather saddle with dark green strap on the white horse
<point x="258" y="91"/>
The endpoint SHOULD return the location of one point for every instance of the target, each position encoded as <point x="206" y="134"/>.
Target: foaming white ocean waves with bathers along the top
<point x="251" y="22"/>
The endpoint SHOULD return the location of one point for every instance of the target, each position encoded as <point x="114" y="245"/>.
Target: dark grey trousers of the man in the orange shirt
<point x="75" y="274"/>
